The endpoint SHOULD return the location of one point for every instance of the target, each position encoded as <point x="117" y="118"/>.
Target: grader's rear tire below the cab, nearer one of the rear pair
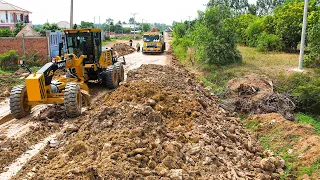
<point x="110" y="77"/>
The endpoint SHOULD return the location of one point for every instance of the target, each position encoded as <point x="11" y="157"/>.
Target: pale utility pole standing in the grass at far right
<point x="303" y="34"/>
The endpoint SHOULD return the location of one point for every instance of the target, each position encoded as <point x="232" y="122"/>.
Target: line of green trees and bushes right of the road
<point x="268" y="25"/>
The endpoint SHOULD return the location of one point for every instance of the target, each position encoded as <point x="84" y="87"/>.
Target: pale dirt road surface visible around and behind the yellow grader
<point x="21" y="139"/>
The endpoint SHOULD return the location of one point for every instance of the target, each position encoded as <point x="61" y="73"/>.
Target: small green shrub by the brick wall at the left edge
<point x="8" y="60"/>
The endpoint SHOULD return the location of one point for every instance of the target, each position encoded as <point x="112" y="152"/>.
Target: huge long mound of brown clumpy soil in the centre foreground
<point x="161" y="124"/>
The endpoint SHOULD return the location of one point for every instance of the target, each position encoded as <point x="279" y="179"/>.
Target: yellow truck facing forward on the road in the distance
<point x="153" y="42"/>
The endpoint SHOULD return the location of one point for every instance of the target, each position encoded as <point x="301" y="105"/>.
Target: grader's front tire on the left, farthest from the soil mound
<point x="19" y="102"/>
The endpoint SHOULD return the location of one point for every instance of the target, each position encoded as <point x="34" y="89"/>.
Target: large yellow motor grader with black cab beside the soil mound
<point x="84" y="61"/>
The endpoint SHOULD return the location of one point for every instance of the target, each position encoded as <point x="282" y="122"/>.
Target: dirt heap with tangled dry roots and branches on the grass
<point x="254" y="94"/>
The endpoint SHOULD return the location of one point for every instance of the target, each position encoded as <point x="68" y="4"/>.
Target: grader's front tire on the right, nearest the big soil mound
<point x="73" y="100"/>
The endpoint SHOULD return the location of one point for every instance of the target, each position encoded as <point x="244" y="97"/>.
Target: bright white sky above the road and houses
<point x="161" y="11"/>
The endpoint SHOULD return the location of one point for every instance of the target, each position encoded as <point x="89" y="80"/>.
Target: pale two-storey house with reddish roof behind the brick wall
<point x="11" y="14"/>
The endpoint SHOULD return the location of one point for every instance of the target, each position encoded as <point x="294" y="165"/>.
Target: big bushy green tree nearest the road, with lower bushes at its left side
<point x="213" y="37"/>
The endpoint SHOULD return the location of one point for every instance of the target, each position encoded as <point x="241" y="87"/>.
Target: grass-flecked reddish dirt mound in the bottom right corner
<point x="300" y="143"/>
